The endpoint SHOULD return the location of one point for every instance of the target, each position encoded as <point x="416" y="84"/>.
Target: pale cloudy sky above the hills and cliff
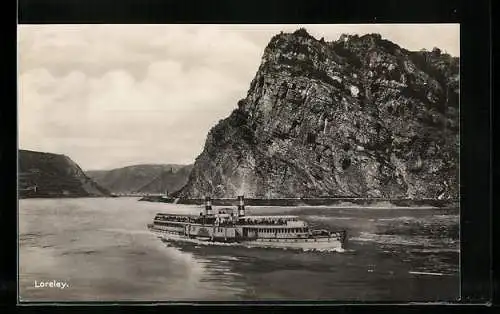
<point x="115" y="95"/>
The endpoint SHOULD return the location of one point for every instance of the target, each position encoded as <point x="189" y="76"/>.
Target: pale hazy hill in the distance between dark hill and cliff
<point x="137" y="178"/>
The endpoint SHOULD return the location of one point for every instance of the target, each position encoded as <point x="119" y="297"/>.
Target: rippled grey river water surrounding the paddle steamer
<point x="102" y="249"/>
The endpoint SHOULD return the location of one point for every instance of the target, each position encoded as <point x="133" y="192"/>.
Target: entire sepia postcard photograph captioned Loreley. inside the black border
<point x="238" y="162"/>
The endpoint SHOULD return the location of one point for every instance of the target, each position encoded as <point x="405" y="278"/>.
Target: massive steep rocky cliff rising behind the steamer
<point x="358" y="117"/>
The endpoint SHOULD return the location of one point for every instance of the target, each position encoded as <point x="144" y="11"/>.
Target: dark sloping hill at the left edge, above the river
<point x="52" y="175"/>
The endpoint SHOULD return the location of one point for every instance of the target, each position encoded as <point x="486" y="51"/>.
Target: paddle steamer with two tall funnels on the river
<point x="228" y="225"/>
